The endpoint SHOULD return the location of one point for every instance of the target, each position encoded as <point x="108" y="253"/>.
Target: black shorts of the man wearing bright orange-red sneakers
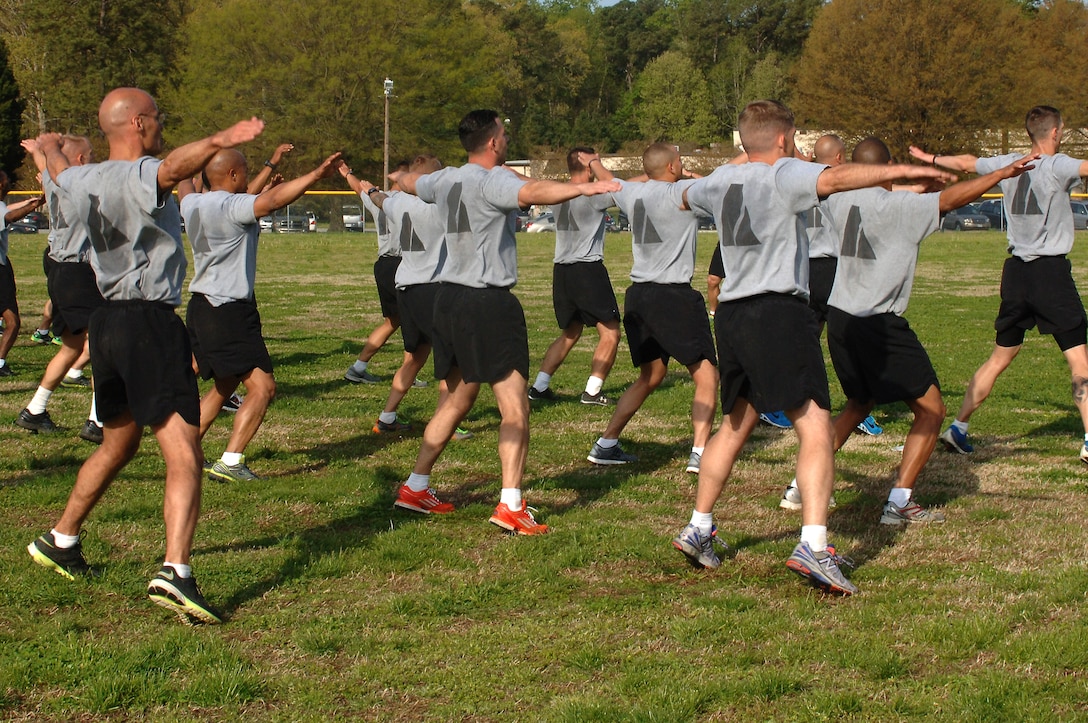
<point x="481" y="332"/>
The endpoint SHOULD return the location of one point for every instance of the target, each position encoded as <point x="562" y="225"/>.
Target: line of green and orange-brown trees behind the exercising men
<point x="564" y="72"/>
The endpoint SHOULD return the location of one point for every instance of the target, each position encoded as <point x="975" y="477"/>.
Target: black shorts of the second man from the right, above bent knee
<point x="879" y="359"/>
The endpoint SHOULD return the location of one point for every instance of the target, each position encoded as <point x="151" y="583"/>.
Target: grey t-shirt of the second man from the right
<point x="880" y="233"/>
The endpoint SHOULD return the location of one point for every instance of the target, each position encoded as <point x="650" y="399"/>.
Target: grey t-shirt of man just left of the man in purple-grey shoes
<point x="663" y="234"/>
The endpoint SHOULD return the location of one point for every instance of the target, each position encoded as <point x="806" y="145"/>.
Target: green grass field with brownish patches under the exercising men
<point x="342" y="608"/>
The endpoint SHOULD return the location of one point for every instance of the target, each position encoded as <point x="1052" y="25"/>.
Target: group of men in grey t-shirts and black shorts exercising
<point x="451" y="231"/>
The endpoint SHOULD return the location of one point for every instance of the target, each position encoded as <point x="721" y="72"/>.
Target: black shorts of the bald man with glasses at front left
<point x="143" y="364"/>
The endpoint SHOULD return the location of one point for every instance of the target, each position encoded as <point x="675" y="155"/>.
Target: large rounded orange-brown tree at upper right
<point x="914" y="72"/>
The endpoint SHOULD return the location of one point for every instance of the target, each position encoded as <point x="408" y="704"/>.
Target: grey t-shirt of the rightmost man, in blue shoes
<point x="1037" y="204"/>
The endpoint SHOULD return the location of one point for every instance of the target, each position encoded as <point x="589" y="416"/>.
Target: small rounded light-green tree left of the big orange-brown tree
<point x="674" y="102"/>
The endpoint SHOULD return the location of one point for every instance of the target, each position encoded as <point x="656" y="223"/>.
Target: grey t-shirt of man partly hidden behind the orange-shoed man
<point x="418" y="229"/>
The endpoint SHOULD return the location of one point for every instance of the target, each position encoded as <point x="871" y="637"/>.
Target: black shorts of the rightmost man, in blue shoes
<point x="1043" y="294"/>
